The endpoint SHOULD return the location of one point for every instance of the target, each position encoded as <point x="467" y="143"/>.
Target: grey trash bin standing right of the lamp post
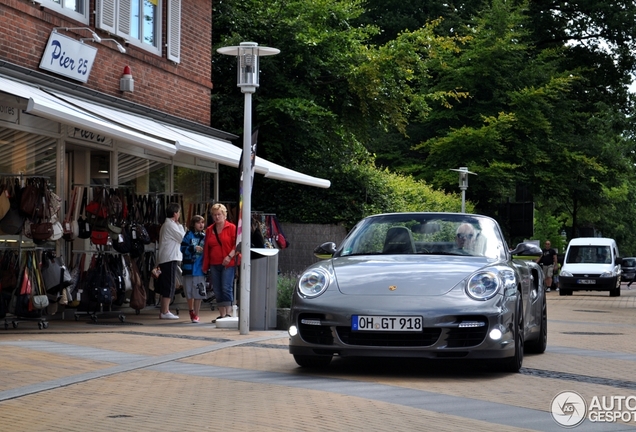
<point x="263" y="288"/>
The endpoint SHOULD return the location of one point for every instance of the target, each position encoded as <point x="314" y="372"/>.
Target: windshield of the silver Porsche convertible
<point x="433" y="234"/>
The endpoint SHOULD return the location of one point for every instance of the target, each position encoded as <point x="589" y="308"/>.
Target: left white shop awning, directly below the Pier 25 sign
<point x="48" y="106"/>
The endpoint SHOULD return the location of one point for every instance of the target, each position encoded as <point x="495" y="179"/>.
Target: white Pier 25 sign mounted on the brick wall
<point x="68" y="57"/>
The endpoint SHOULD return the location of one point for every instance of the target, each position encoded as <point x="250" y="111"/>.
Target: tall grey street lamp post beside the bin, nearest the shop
<point x="247" y="55"/>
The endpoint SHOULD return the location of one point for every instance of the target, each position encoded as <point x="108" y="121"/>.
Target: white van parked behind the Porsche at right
<point x="591" y="264"/>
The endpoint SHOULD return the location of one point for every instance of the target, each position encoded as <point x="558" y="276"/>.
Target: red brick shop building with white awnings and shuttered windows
<point x="114" y="93"/>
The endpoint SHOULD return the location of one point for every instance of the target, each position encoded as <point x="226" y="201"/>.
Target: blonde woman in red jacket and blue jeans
<point x="219" y="258"/>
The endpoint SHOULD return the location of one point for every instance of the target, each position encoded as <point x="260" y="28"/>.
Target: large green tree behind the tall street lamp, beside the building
<point x="318" y="98"/>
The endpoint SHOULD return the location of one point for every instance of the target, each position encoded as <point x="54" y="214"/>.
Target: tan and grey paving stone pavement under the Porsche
<point x="148" y="374"/>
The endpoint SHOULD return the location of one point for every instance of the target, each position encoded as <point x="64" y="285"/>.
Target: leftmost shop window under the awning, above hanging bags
<point x="27" y="153"/>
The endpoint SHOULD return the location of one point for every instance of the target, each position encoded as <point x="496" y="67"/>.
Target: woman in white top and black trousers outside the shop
<point x="168" y="255"/>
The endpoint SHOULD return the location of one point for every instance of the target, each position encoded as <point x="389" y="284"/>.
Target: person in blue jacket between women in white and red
<point x="192" y="265"/>
